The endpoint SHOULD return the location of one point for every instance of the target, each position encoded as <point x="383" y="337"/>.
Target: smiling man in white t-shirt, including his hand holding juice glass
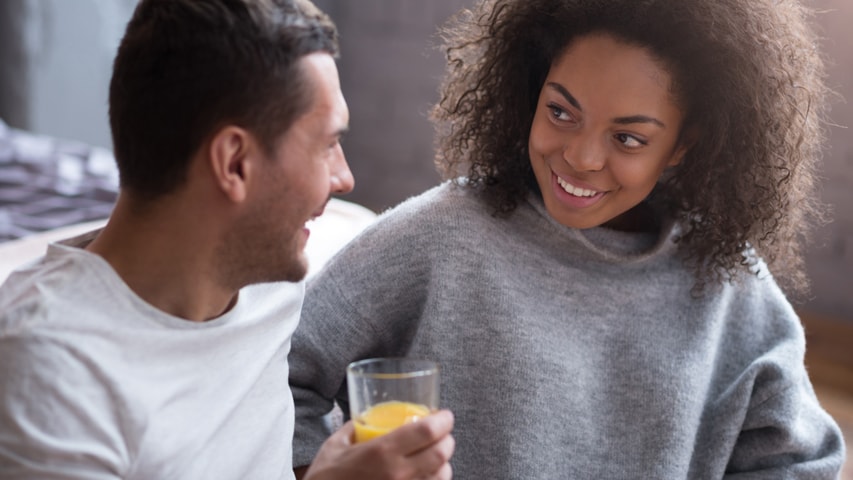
<point x="157" y="347"/>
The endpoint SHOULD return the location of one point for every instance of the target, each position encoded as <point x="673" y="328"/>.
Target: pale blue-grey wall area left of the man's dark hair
<point x="68" y="47"/>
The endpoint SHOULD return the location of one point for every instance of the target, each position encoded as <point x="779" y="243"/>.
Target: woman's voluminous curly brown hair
<point x="747" y="72"/>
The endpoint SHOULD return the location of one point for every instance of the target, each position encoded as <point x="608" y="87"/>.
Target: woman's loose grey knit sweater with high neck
<point x="565" y="353"/>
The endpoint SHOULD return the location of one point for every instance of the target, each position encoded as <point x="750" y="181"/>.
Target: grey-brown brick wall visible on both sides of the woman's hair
<point x="390" y="71"/>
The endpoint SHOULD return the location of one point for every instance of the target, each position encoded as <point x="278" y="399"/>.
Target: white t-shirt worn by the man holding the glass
<point x="96" y="383"/>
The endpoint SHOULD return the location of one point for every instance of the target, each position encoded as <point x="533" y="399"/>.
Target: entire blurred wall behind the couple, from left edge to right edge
<point x="56" y="57"/>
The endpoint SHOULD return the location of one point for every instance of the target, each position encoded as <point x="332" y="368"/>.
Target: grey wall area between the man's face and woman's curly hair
<point x="390" y="70"/>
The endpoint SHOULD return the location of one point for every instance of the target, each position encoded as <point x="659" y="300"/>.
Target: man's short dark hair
<point x="186" y="68"/>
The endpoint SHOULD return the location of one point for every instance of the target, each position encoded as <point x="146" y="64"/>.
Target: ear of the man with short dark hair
<point x="230" y="153"/>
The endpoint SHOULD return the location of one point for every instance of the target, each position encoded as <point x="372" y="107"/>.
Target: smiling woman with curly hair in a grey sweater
<point x="627" y="181"/>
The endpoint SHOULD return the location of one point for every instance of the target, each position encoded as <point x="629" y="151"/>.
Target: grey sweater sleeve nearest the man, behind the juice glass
<point x="363" y="304"/>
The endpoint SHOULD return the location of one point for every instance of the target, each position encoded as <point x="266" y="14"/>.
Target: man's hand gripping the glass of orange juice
<point x="420" y="450"/>
